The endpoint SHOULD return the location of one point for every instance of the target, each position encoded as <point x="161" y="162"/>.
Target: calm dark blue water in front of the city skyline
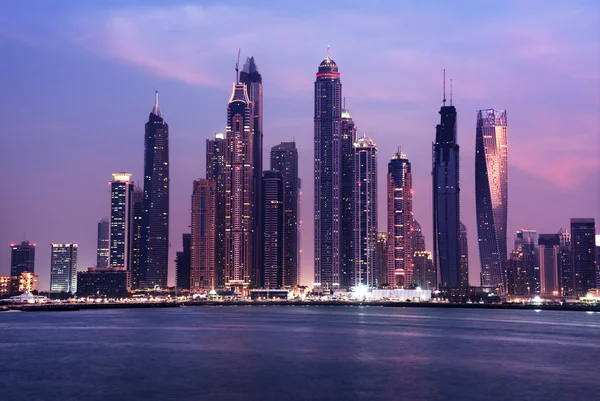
<point x="300" y="353"/>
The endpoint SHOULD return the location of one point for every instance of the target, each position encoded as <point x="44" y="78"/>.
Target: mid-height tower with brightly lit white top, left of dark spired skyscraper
<point x="121" y="221"/>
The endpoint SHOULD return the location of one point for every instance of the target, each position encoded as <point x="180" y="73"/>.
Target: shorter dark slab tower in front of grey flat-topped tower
<point x="273" y="232"/>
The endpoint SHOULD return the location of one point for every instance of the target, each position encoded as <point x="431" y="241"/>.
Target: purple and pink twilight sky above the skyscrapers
<point x="78" y="78"/>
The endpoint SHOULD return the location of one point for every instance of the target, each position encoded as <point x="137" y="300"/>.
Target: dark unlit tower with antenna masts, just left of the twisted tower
<point x="446" y="199"/>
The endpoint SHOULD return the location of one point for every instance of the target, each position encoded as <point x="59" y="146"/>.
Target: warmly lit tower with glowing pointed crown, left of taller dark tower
<point x="239" y="192"/>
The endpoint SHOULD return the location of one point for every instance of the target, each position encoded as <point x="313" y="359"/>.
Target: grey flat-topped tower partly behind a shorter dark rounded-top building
<point x="284" y="158"/>
